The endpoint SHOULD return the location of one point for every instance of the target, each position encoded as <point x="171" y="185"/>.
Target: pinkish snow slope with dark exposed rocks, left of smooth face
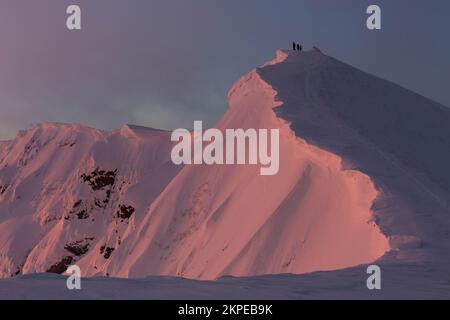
<point x="67" y="191"/>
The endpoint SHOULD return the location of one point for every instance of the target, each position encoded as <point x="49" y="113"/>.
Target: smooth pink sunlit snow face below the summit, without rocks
<point x="311" y="216"/>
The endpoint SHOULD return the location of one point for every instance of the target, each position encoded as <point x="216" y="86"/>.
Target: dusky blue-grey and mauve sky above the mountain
<point x="166" y="63"/>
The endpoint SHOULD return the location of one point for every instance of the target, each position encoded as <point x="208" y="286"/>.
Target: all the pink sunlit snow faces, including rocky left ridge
<point x="114" y="203"/>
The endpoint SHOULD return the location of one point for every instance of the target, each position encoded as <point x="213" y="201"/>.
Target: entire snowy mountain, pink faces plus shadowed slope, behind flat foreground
<point x="359" y="175"/>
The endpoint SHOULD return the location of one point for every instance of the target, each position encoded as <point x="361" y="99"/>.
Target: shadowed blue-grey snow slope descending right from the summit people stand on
<point x="398" y="138"/>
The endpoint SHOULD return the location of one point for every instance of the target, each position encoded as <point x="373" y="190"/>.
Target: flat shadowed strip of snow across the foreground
<point x="400" y="281"/>
